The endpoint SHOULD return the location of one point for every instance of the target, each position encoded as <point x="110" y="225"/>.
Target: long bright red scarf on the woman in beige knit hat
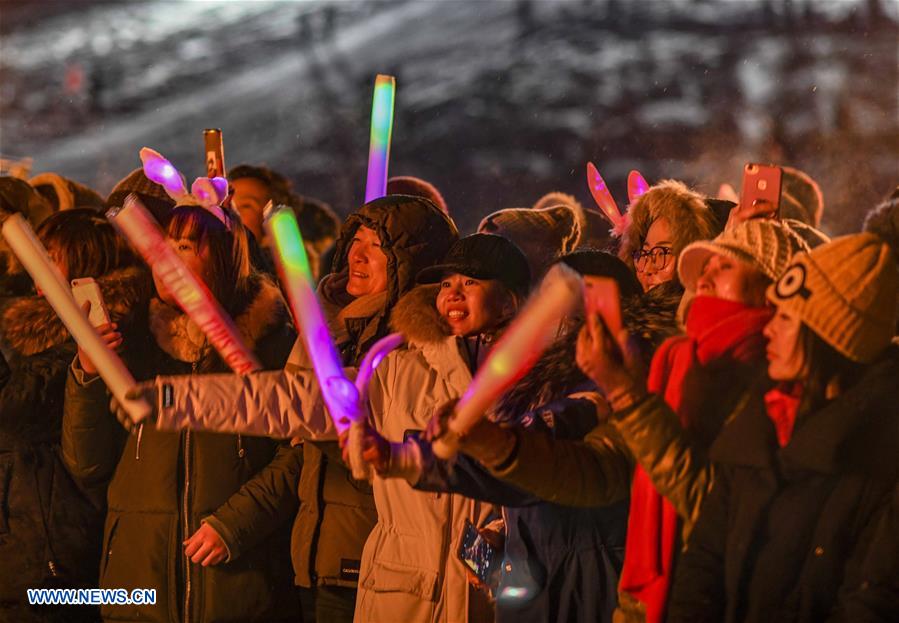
<point x="716" y="328"/>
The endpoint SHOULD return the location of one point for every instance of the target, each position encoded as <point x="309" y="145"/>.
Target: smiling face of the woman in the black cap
<point x="472" y="306"/>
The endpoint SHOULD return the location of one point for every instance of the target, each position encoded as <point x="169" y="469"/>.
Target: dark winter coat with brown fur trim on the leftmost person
<point x="50" y="531"/>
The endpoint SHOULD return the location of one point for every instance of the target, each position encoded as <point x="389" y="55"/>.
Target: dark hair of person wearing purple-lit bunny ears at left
<point x="229" y="249"/>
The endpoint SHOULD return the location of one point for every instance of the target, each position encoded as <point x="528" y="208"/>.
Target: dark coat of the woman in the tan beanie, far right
<point x="783" y="529"/>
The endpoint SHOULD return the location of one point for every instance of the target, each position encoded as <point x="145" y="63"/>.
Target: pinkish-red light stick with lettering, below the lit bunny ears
<point x="192" y="295"/>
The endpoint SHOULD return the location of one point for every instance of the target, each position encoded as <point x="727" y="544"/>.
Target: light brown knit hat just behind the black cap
<point x="543" y="235"/>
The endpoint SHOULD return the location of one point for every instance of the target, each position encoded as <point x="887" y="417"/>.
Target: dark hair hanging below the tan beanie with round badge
<point x="823" y="366"/>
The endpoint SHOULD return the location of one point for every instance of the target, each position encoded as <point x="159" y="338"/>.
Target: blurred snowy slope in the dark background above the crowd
<point x="498" y="101"/>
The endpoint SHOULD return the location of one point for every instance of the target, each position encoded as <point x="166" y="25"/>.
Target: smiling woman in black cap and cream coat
<point x="410" y="571"/>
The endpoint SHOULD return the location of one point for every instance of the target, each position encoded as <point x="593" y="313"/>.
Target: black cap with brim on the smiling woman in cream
<point x="483" y="256"/>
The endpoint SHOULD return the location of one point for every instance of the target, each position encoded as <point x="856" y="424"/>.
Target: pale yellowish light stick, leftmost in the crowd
<point x="46" y="275"/>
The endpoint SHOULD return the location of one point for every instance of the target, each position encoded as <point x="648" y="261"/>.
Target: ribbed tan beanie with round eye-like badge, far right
<point x="845" y="291"/>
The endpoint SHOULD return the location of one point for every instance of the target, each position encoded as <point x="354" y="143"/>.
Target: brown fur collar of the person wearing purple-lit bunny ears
<point x="178" y="336"/>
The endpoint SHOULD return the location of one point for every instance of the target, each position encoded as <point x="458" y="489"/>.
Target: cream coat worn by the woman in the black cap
<point x="410" y="570"/>
